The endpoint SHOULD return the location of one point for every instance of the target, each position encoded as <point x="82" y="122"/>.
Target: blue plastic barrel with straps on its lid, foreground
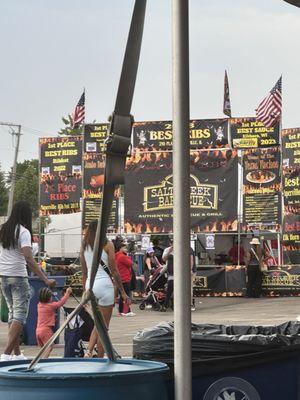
<point x="84" y="379"/>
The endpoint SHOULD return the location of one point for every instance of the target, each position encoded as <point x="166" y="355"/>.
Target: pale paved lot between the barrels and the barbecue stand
<point x="264" y="311"/>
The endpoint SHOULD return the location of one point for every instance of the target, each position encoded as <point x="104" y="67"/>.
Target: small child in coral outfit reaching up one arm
<point x="46" y="316"/>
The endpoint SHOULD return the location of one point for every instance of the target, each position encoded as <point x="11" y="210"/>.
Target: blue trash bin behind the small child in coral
<point x="36" y="284"/>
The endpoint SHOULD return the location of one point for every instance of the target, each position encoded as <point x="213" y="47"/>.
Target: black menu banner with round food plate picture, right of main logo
<point x="262" y="188"/>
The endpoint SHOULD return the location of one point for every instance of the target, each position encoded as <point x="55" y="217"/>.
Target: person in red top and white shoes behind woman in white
<point x="124" y="264"/>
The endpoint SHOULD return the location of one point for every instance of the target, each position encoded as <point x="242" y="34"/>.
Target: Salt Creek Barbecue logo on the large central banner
<point x="160" y="197"/>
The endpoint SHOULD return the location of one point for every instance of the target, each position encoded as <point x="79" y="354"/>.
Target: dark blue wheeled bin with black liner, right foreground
<point x="232" y="362"/>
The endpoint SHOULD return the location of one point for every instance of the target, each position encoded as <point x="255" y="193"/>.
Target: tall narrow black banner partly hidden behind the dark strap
<point x="93" y="176"/>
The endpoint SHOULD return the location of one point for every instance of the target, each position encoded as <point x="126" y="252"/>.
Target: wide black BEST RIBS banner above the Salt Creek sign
<point x="158" y="135"/>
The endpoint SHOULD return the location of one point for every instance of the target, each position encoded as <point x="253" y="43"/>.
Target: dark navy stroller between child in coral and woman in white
<point x="77" y="332"/>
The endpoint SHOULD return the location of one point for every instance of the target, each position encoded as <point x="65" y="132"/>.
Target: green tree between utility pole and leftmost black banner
<point x="27" y="184"/>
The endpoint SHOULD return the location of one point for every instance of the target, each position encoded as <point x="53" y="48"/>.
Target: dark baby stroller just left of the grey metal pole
<point x="155" y="289"/>
